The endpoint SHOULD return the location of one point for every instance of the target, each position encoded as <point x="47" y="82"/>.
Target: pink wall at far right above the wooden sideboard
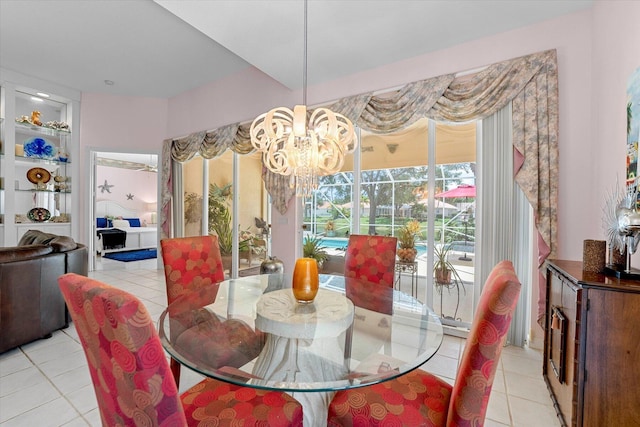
<point x="616" y="35"/>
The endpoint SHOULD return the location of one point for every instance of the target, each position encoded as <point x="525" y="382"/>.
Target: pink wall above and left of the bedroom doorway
<point x="112" y="123"/>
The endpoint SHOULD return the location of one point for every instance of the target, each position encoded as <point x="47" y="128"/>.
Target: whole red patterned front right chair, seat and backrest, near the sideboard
<point x="420" y="398"/>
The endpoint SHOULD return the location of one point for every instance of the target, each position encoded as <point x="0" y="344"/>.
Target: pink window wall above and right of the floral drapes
<point x="216" y="104"/>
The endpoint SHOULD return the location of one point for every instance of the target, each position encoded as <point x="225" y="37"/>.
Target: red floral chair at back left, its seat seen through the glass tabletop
<point x="192" y="264"/>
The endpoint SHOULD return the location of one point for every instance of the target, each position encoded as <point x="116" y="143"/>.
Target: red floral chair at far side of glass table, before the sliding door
<point x="372" y="260"/>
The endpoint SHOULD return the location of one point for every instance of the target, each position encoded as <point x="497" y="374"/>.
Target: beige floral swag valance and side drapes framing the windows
<point x="530" y="82"/>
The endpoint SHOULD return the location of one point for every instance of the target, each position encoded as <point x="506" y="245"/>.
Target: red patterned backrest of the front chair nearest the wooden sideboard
<point x="485" y="341"/>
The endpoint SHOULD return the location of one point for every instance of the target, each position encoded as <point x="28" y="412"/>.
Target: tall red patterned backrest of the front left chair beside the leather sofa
<point x="128" y="366"/>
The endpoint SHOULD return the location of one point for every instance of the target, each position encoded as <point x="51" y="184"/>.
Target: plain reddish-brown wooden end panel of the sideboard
<point x="612" y="355"/>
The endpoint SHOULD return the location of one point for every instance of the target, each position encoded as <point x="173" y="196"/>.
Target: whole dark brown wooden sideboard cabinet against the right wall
<point x="592" y="346"/>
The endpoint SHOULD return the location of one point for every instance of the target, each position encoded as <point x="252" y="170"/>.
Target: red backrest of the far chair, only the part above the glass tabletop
<point x="371" y="258"/>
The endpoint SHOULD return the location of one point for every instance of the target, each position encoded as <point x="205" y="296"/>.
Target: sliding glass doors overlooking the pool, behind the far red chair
<point x="393" y="182"/>
